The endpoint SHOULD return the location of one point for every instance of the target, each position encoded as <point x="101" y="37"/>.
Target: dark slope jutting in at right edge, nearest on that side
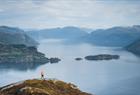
<point x="134" y="47"/>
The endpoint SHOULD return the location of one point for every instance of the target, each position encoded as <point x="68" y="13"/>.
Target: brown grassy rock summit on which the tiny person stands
<point x="41" y="87"/>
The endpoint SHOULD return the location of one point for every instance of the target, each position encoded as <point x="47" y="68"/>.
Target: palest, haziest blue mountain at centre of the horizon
<point x="58" y="33"/>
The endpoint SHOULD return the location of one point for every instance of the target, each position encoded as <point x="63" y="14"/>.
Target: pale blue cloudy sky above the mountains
<point x="60" y="13"/>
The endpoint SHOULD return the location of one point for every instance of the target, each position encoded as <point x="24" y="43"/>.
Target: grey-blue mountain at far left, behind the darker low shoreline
<point x="11" y="35"/>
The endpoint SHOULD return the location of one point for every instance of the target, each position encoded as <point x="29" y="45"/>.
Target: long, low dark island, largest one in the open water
<point x="102" y="57"/>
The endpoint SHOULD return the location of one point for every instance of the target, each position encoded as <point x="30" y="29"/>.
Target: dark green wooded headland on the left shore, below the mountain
<point x="21" y="54"/>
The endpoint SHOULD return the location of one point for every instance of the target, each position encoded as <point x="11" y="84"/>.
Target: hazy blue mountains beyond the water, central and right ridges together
<point x="115" y="36"/>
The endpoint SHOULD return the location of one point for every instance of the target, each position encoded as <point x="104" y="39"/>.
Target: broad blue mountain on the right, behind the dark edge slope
<point x="116" y="36"/>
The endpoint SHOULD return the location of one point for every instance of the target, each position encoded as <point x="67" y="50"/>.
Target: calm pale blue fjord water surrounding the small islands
<point x="113" y="77"/>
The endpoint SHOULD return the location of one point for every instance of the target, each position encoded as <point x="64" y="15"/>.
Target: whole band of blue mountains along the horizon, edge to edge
<point x="128" y="37"/>
